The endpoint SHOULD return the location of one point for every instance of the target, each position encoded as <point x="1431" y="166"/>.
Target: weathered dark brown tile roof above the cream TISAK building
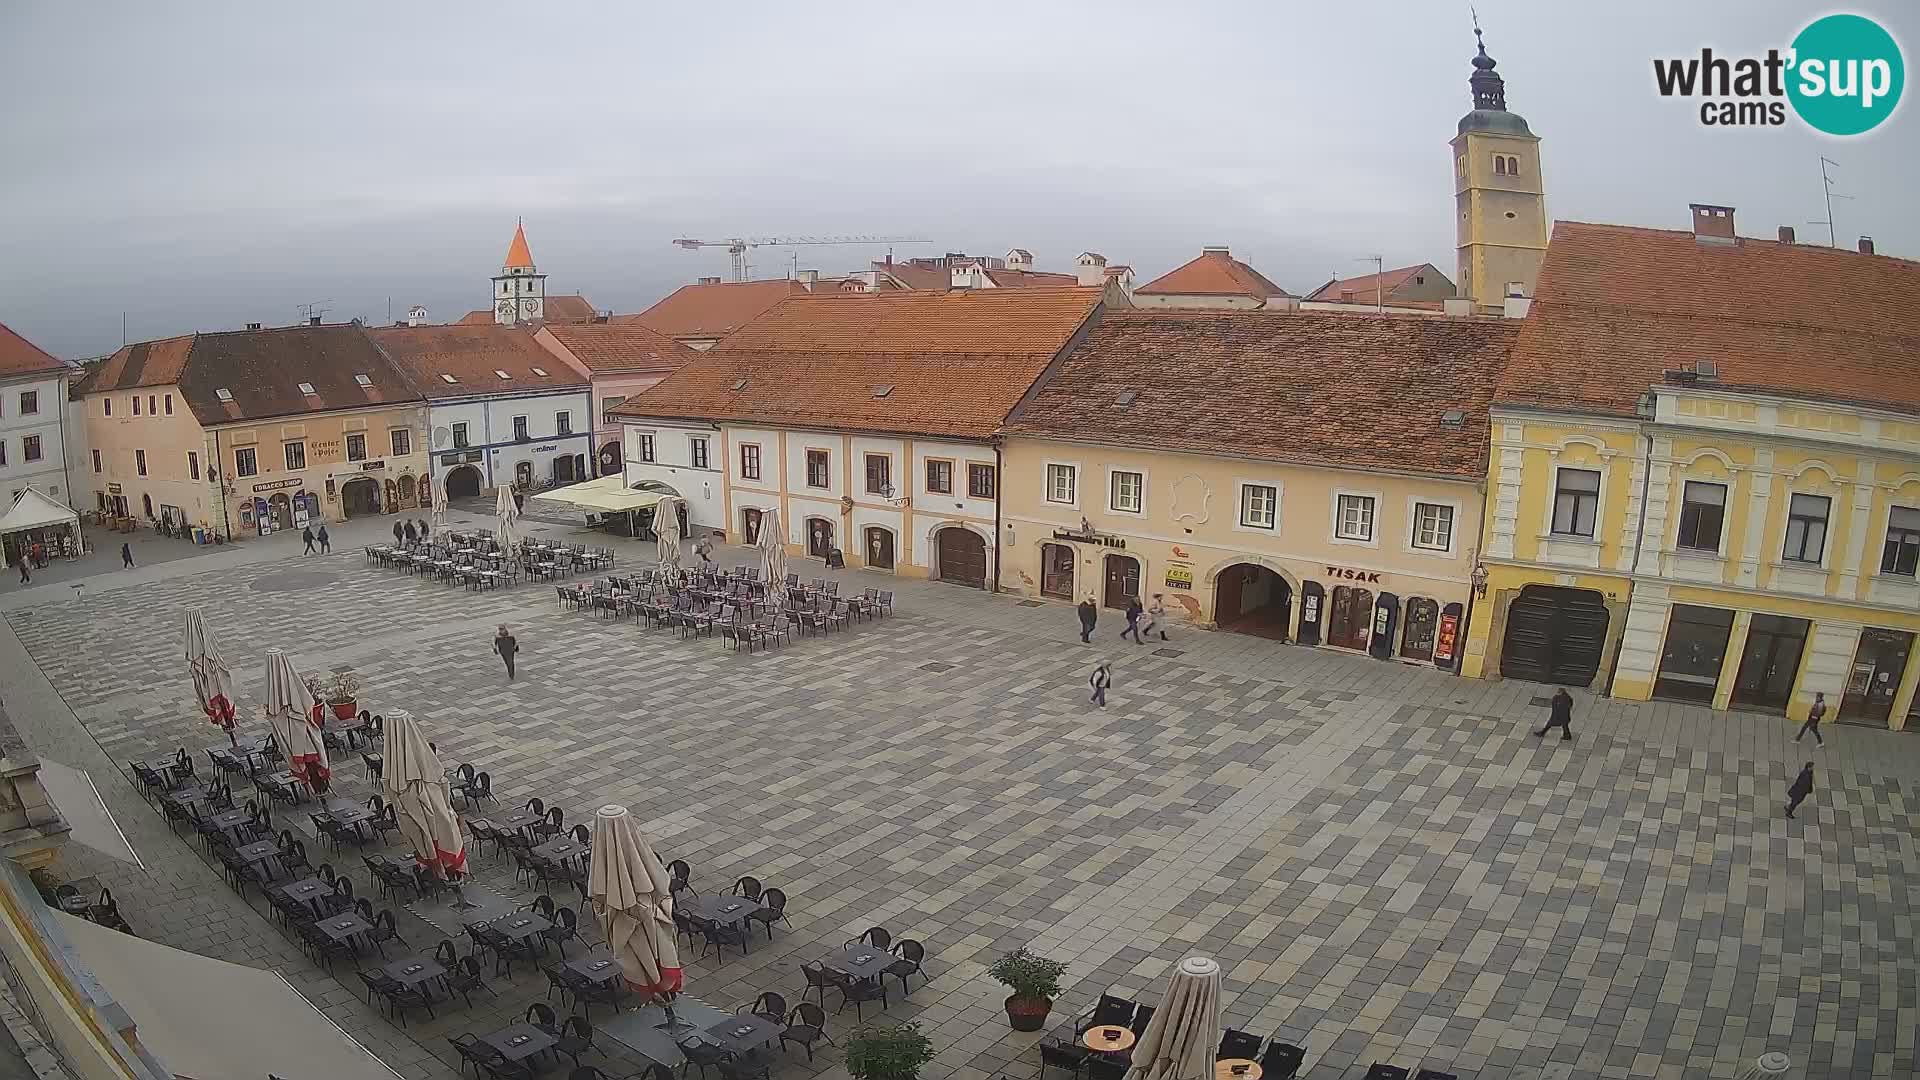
<point x="1312" y="387"/>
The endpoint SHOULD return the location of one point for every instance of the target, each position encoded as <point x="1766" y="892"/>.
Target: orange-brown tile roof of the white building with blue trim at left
<point x="475" y="356"/>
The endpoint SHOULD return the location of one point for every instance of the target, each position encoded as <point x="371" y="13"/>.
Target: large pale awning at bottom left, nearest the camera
<point x="210" y="1019"/>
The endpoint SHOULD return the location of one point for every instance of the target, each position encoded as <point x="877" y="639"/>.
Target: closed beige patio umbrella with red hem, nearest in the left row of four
<point x="633" y="896"/>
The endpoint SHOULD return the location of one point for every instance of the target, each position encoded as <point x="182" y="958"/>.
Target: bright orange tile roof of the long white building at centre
<point x="955" y="362"/>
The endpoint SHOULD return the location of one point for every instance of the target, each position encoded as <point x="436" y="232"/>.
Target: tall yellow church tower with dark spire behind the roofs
<point x="1499" y="195"/>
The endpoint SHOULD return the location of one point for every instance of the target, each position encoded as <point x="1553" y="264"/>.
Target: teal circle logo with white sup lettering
<point x="1848" y="76"/>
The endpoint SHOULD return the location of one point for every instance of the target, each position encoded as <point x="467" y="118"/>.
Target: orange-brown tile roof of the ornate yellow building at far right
<point x="1618" y="307"/>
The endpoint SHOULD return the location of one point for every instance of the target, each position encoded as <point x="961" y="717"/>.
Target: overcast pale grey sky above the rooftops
<point x="201" y="166"/>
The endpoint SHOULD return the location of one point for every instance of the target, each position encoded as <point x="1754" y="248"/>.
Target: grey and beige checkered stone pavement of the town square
<point x="1380" y="856"/>
